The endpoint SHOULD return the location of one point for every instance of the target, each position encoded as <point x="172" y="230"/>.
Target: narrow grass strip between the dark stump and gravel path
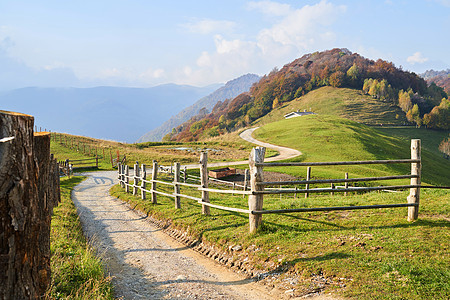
<point x="77" y="272"/>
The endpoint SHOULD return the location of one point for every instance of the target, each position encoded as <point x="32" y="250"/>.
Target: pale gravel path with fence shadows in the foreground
<point x="145" y="263"/>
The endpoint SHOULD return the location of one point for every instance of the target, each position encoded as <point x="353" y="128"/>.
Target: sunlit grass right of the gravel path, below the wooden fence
<point x="370" y="254"/>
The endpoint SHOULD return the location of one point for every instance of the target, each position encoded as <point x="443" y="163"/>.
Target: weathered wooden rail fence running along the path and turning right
<point x="258" y="187"/>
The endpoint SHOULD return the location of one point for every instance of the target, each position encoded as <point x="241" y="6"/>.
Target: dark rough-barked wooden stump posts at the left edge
<point x="29" y="188"/>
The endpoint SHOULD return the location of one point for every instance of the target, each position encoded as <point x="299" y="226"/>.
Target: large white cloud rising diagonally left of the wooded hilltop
<point x="293" y="32"/>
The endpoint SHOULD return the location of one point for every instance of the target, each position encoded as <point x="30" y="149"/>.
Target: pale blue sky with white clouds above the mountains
<point x="144" y="43"/>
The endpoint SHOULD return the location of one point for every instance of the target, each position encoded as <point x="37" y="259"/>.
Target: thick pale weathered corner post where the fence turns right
<point x="255" y="202"/>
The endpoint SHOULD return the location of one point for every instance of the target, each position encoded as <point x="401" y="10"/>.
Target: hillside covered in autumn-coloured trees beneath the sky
<point x="396" y="92"/>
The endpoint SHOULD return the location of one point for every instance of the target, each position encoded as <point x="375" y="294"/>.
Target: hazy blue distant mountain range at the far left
<point x="114" y="113"/>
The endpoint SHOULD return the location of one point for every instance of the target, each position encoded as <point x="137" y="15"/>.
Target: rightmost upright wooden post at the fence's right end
<point x="414" y="193"/>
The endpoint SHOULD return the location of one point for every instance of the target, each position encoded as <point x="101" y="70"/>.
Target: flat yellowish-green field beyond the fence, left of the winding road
<point x="232" y="149"/>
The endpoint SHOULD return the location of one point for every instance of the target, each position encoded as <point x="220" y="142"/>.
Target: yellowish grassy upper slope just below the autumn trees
<point x="347" y="103"/>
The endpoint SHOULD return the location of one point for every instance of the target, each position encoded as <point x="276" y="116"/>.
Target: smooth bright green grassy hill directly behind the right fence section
<point x="328" y="138"/>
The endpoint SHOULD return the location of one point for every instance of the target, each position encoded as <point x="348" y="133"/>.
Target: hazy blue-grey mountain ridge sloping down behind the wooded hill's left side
<point x="230" y="90"/>
